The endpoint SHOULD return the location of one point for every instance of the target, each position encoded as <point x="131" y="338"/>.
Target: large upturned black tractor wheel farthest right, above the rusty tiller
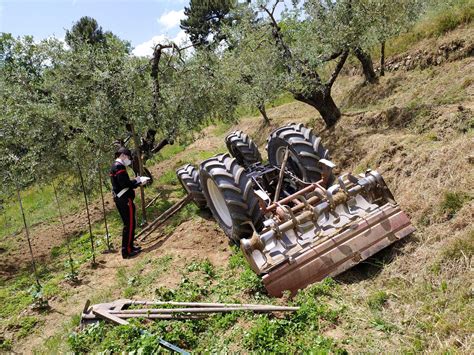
<point x="305" y="151"/>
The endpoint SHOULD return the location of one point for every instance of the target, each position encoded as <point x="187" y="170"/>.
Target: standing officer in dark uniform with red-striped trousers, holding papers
<point x="122" y="190"/>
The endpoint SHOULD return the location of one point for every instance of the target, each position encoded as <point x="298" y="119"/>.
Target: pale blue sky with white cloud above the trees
<point x="142" y="22"/>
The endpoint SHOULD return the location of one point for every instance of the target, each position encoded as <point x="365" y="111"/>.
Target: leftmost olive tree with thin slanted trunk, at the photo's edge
<point x="29" y="130"/>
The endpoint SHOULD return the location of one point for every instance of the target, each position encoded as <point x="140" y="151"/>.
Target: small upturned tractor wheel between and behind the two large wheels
<point x="242" y="148"/>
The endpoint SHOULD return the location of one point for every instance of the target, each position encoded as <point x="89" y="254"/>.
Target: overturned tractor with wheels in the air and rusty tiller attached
<point x="295" y="222"/>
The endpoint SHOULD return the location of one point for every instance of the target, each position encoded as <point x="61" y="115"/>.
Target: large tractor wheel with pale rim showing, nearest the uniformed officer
<point x="230" y="196"/>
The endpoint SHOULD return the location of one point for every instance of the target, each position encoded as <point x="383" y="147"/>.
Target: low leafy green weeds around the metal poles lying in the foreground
<point x="202" y="281"/>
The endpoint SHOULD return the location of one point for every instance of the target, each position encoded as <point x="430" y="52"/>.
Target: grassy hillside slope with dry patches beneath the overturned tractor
<point x="415" y="127"/>
